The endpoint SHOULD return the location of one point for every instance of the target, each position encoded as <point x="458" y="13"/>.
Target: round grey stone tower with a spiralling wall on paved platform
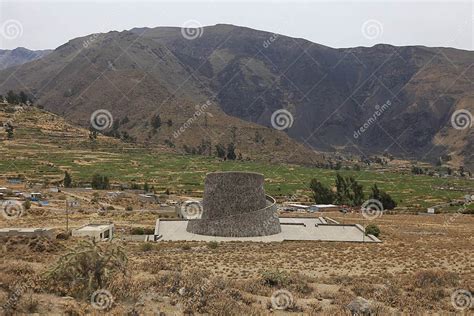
<point x="235" y="205"/>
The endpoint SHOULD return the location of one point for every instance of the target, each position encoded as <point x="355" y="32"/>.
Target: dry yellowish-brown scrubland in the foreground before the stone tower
<point x="420" y="263"/>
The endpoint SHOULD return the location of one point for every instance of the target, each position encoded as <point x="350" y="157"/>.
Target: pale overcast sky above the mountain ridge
<point x="39" y="24"/>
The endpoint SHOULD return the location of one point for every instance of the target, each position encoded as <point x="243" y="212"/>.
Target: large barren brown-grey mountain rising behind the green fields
<point x="365" y="100"/>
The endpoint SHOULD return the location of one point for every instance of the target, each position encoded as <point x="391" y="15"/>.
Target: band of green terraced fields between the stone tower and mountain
<point x="185" y="173"/>
